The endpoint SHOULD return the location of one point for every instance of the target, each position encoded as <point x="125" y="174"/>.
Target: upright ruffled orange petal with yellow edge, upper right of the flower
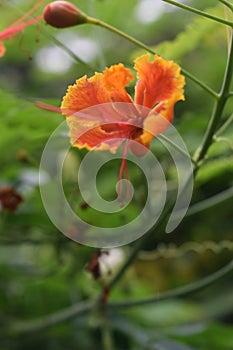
<point x="159" y="80"/>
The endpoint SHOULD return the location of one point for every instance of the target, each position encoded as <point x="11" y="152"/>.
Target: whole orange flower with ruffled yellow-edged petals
<point x="114" y="116"/>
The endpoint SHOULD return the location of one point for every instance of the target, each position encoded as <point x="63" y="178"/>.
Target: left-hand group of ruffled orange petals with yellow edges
<point x="94" y="120"/>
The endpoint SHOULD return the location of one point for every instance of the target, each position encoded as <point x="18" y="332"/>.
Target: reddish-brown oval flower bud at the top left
<point x="63" y="14"/>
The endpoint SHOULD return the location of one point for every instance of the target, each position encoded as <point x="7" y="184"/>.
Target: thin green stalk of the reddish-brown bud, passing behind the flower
<point x="138" y="43"/>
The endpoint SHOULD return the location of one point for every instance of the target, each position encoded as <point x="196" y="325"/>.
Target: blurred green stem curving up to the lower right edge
<point x="178" y="292"/>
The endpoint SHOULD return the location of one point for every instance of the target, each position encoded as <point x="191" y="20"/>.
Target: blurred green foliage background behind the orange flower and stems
<point x="42" y="271"/>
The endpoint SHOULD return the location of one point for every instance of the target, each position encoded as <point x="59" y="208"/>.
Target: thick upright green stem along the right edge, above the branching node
<point x="217" y="110"/>
